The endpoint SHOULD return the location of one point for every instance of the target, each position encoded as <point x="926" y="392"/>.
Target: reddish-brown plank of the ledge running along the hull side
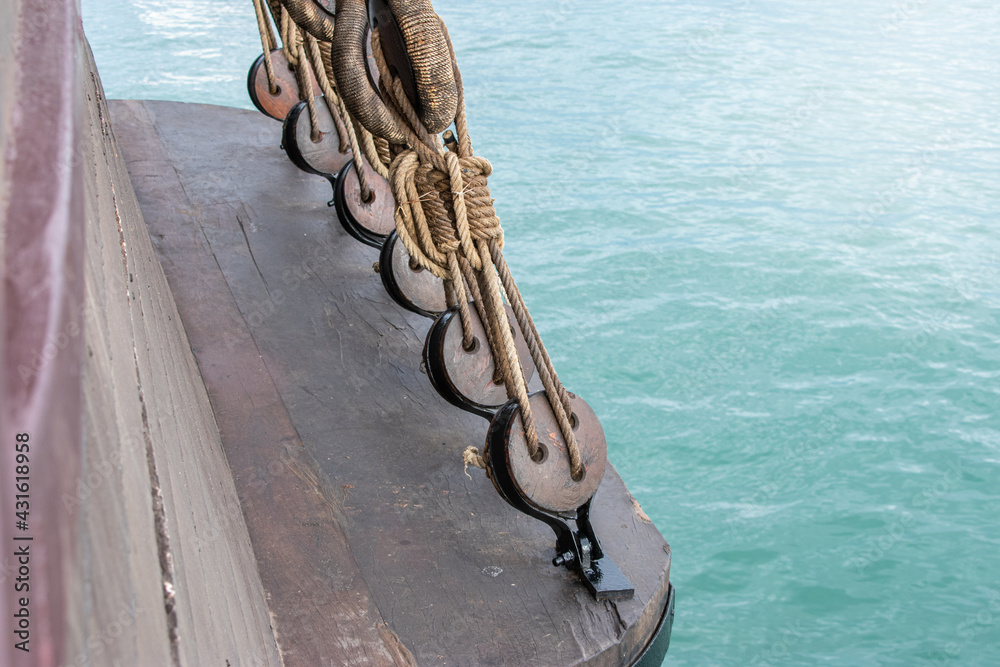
<point x="318" y="598"/>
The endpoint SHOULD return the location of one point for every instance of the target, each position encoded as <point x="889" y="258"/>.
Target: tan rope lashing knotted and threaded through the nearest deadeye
<point x="446" y="219"/>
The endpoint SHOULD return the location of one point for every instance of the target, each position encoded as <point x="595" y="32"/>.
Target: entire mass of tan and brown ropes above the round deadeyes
<point x="445" y="216"/>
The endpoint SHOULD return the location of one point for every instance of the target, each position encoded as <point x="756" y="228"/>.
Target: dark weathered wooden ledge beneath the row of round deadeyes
<point x="373" y="546"/>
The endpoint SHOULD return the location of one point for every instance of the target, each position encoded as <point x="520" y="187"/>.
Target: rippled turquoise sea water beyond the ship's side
<point x="761" y="238"/>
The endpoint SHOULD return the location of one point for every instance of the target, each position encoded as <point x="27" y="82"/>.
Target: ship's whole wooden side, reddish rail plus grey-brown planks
<point x="139" y="554"/>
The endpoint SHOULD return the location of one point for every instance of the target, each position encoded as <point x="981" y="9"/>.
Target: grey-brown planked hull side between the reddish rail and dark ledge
<point x="165" y="570"/>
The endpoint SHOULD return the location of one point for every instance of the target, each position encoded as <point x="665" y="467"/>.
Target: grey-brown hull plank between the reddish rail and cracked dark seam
<point x="119" y="612"/>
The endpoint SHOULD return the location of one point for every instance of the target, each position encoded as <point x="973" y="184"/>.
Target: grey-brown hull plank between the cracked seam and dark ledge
<point x="215" y="605"/>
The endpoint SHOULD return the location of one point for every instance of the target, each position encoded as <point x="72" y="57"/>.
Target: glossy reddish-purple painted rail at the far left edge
<point x="42" y="217"/>
